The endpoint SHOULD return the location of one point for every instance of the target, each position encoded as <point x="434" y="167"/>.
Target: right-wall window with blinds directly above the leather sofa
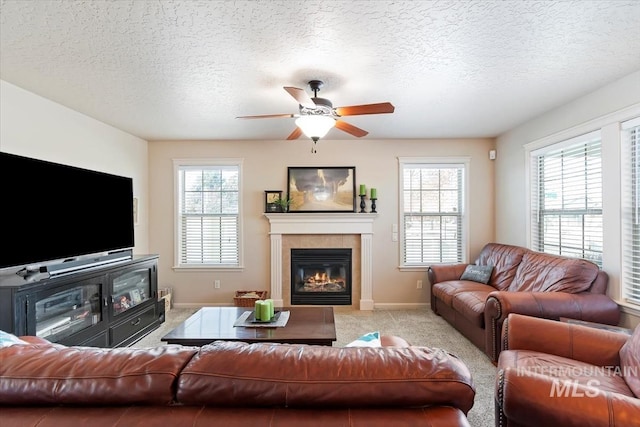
<point x="566" y="198"/>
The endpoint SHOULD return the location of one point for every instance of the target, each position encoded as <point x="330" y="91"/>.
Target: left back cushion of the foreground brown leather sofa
<point x="56" y="374"/>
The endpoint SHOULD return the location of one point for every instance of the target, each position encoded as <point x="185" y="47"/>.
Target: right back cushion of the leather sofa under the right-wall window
<point x="540" y="272"/>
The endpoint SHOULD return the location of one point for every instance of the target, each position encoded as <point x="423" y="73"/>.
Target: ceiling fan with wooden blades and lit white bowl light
<point x="317" y="115"/>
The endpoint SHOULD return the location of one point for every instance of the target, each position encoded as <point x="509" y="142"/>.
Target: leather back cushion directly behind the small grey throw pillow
<point x="504" y="259"/>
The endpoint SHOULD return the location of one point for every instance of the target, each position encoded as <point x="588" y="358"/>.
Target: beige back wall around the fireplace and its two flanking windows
<point x="265" y="168"/>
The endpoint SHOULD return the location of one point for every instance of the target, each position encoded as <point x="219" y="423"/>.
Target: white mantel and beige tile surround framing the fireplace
<point x="322" y="230"/>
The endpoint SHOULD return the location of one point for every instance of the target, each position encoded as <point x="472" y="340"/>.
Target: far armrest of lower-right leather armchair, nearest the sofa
<point x="594" y="346"/>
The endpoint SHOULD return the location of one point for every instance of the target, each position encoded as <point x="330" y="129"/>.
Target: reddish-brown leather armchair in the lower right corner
<point x="560" y="374"/>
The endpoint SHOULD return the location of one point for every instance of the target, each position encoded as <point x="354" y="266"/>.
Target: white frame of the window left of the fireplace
<point x="178" y="165"/>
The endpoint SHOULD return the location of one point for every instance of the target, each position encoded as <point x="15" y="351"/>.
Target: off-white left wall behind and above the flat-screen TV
<point x="35" y="127"/>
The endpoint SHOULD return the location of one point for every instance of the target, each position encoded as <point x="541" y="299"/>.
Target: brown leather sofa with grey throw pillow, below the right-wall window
<point x="522" y="281"/>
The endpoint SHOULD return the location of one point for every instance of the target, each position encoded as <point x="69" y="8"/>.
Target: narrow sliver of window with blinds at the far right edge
<point x="631" y="210"/>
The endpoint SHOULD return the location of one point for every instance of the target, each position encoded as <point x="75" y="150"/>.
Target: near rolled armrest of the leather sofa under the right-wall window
<point x="550" y="305"/>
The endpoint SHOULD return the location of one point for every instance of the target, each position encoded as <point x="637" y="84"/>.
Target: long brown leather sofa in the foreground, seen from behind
<point x="232" y="384"/>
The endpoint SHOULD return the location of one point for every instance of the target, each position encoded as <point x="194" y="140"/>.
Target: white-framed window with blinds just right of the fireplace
<point x="432" y="211"/>
